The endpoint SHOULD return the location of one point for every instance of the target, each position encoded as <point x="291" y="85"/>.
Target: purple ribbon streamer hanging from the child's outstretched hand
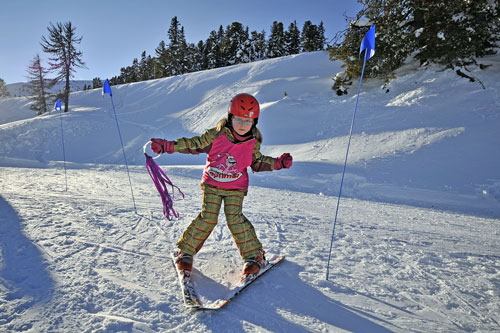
<point x="162" y="182"/>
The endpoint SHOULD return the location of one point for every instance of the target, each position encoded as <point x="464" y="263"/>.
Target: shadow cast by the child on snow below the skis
<point x="292" y="304"/>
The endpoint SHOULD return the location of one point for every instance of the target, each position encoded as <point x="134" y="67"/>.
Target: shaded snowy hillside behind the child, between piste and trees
<point x="430" y="133"/>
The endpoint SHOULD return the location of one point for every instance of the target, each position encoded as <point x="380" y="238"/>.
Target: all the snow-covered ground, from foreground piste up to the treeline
<point x="416" y="246"/>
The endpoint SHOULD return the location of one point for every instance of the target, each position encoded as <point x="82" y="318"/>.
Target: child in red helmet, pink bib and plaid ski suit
<point x="231" y="147"/>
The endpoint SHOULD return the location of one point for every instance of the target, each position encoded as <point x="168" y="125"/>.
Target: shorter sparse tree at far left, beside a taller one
<point x="38" y="85"/>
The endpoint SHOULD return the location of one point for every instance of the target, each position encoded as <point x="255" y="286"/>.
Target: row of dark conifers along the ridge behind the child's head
<point x="223" y="47"/>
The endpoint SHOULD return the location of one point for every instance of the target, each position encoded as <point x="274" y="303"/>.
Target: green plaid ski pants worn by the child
<point x="240" y="227"/>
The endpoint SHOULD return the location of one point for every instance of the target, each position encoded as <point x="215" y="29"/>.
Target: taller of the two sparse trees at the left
<point x="61" y="44"/>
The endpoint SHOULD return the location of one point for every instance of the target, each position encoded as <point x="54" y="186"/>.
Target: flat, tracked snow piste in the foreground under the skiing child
<point x="105" y="268"/>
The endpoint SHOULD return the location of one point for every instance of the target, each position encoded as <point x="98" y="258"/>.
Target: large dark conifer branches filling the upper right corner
<point x="453" y="34"/>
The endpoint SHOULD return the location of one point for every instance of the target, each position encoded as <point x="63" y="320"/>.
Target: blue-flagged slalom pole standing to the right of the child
<point x="368" y="44"/>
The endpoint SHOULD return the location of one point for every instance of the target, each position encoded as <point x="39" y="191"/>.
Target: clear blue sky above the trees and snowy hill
<point x="115" y="32"/>
